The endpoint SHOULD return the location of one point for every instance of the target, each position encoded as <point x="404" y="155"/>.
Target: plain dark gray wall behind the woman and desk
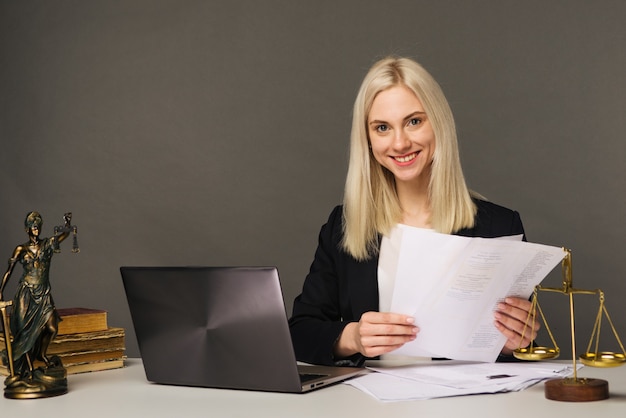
<point x="216" y="132"/>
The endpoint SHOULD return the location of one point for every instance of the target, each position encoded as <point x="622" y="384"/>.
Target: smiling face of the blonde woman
<point x="400" y="134"/>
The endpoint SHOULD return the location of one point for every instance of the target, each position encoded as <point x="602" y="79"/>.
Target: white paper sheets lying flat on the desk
<point x="429" y="380"/>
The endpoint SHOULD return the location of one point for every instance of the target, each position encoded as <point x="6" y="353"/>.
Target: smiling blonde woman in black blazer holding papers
<point x="404" y="170"/>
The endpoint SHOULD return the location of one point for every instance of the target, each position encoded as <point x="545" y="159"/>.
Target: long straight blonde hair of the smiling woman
<point x="371" y="205"/>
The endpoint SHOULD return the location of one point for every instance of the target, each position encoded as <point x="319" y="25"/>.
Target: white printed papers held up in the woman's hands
<point x="452" y="284"/>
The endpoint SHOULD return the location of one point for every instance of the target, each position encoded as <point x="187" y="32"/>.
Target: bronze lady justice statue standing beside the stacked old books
<point x="34" y="319"/>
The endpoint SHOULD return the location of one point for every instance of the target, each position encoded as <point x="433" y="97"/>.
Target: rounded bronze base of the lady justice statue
<point x="41" y="383"/>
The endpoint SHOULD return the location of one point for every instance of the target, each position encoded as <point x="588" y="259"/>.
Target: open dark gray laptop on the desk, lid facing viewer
<point x="218" y="327"/>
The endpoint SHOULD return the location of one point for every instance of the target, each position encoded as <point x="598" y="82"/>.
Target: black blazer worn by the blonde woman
<point x="339" y="289"/>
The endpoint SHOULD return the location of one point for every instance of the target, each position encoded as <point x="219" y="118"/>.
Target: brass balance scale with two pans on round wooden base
<point x="574" y="389"/>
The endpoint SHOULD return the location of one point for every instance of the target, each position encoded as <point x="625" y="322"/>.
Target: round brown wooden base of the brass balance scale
<point x="577" y="390"/>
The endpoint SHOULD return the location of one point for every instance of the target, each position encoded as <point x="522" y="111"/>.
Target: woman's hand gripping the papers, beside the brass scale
<point x="510" y="319"/>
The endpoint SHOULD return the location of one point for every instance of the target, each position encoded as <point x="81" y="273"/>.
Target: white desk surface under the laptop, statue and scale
<point x="127" y="393"/>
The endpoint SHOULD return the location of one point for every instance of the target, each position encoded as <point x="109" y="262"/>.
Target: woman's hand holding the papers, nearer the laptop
<point x="376" y="333"/>
